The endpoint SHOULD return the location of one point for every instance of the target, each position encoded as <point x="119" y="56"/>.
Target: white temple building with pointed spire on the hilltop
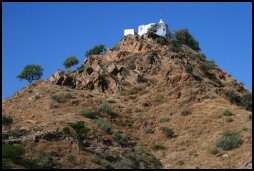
<point x="142" y="29"/>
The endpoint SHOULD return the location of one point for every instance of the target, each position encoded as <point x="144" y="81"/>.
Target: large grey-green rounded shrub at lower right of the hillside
<point x="229" y="140"/>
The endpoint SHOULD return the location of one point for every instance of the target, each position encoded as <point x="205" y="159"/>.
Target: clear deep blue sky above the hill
<point x="47" y="33"/>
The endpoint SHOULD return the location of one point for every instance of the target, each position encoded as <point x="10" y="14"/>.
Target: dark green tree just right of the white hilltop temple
<point x="184" y="37"/>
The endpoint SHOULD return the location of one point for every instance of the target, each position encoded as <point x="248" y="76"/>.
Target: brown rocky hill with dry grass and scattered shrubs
<point x="146" y="105"/>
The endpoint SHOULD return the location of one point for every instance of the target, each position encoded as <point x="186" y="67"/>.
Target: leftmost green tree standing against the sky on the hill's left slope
<point x="31" y="73"/>
